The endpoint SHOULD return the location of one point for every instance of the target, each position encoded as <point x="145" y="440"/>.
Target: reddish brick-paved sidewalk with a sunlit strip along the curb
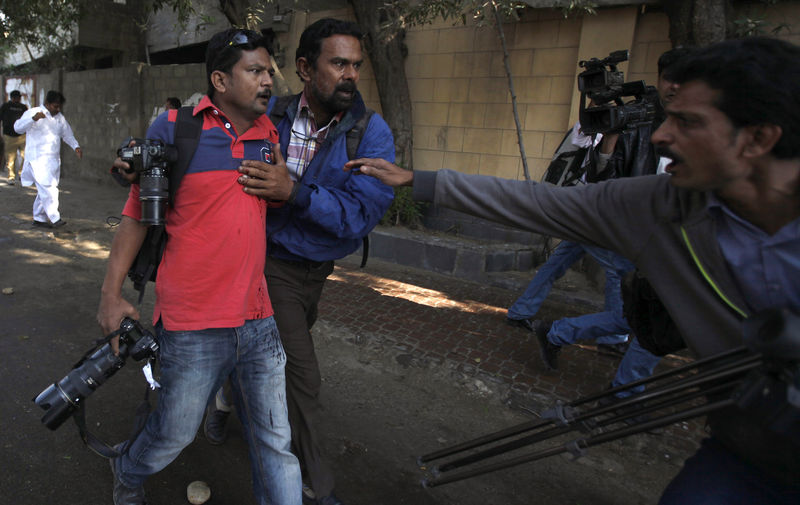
<point x="428" y="320"/>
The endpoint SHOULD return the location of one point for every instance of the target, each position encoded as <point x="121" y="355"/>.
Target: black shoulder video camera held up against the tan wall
<point x="604" y="85"/>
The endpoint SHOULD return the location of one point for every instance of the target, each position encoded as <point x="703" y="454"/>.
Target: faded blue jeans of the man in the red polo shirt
<point x="193" y="366"/>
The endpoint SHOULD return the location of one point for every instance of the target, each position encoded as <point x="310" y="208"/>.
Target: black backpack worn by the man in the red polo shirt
<point x="187" y="136"/>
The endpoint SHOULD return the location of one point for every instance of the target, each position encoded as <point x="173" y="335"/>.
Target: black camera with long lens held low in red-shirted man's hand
<point x="60" y="400"/>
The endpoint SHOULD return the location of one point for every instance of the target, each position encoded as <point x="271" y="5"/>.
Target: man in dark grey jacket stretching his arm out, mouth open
<point x="719" y="239"/>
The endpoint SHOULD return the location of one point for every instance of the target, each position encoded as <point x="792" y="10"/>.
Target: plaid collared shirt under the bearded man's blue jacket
<point x="306" y="138"/>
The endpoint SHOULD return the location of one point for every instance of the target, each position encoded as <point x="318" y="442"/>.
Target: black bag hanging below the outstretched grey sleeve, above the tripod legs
<point x="648" y="318"/>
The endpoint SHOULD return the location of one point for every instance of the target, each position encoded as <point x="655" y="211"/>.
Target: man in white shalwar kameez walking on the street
<point x="45" y="127"/>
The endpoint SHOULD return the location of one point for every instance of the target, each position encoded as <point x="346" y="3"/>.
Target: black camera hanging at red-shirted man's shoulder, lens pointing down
<point x="152" y="160"/>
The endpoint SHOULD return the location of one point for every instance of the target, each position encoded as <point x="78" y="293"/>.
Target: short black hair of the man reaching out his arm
<point x="758" y="82"/>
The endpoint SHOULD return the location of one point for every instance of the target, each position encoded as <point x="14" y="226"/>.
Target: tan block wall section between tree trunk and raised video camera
<point x="462" y="113"/>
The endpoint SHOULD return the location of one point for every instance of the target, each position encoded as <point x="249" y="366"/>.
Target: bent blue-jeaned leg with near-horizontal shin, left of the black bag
<point x="607" y="327"/>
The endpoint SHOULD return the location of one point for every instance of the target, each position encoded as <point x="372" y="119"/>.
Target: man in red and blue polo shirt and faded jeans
<point x="213" y="313"/>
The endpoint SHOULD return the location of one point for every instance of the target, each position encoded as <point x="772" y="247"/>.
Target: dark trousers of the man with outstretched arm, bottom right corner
<point x="716" y="476"/>
